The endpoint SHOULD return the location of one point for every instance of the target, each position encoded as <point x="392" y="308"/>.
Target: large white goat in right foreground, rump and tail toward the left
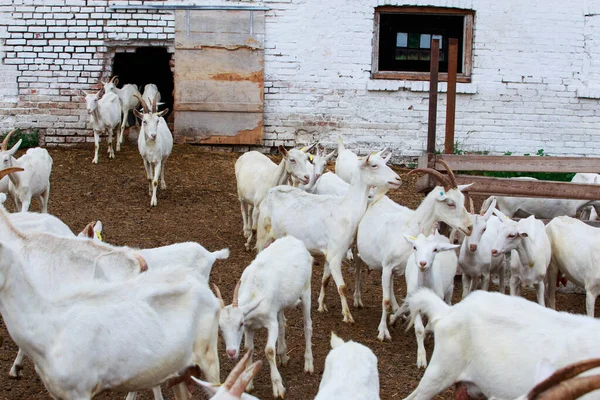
<point x="495" y="342"/>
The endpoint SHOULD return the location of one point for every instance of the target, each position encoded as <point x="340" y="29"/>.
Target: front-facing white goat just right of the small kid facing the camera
<point x="475" y="256"/>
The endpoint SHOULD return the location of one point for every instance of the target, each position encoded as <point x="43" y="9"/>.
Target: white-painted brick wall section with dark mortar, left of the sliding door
<point x="53" y="49"/>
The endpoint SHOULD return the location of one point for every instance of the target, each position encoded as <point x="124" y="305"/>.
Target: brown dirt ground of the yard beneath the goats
<point x="200" y="204"/>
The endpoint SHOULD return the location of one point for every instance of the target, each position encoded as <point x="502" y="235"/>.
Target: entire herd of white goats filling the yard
<point x="62" y="296"/>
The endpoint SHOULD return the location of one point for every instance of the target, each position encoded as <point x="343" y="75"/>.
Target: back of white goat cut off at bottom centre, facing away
<point x="350" y="372"/>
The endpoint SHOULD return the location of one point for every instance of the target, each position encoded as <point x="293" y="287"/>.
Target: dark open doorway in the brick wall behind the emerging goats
<point x="147" y="65"/>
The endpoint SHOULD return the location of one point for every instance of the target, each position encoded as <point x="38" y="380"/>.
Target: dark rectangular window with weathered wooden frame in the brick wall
<point x="402" y="42"/>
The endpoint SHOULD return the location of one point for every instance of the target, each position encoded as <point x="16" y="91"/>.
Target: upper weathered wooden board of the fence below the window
<point x="519" y="163"/>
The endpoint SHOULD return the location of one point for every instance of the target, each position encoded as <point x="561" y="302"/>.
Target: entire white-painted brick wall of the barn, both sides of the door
<point x="535" y="81"/>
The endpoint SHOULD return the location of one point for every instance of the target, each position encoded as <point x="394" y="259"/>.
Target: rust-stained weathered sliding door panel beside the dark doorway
<point x="219" y="76"/>
